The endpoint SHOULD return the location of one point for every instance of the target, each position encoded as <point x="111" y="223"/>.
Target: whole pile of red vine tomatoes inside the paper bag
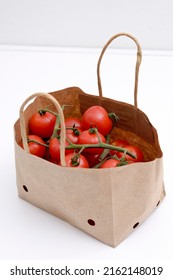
<point x="87" y="142"/>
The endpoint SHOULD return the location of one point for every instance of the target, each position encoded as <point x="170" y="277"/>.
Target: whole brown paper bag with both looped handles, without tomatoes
<point x="108" y="204"/>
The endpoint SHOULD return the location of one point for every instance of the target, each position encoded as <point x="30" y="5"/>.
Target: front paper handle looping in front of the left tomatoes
<point x="61" y="115"/>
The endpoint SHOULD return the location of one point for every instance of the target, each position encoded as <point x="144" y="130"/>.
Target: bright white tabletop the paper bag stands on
<point x="27" y="232"/>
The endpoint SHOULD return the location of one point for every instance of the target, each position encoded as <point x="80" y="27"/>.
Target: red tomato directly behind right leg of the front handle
<point x="54" y="149"/>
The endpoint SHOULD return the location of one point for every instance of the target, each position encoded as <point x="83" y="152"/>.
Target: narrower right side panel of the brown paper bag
<point x="137" y="191"/>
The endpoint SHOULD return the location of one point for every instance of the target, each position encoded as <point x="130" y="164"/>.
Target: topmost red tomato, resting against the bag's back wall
<point x="97" y="116"/>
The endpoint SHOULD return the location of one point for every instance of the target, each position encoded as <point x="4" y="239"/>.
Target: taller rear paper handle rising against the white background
<point x="138" y="62"/>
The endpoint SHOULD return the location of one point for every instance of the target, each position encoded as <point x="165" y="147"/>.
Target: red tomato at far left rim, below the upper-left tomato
<point x="35" y="148"/>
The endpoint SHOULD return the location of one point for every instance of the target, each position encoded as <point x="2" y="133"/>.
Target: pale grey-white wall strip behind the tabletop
<point x="85" y="23"/>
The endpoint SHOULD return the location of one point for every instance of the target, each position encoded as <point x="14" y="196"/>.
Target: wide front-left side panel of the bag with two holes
<point x="81" y="197"/>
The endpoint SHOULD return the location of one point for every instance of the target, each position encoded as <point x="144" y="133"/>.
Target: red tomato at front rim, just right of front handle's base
<point x="77" y="162"/>
